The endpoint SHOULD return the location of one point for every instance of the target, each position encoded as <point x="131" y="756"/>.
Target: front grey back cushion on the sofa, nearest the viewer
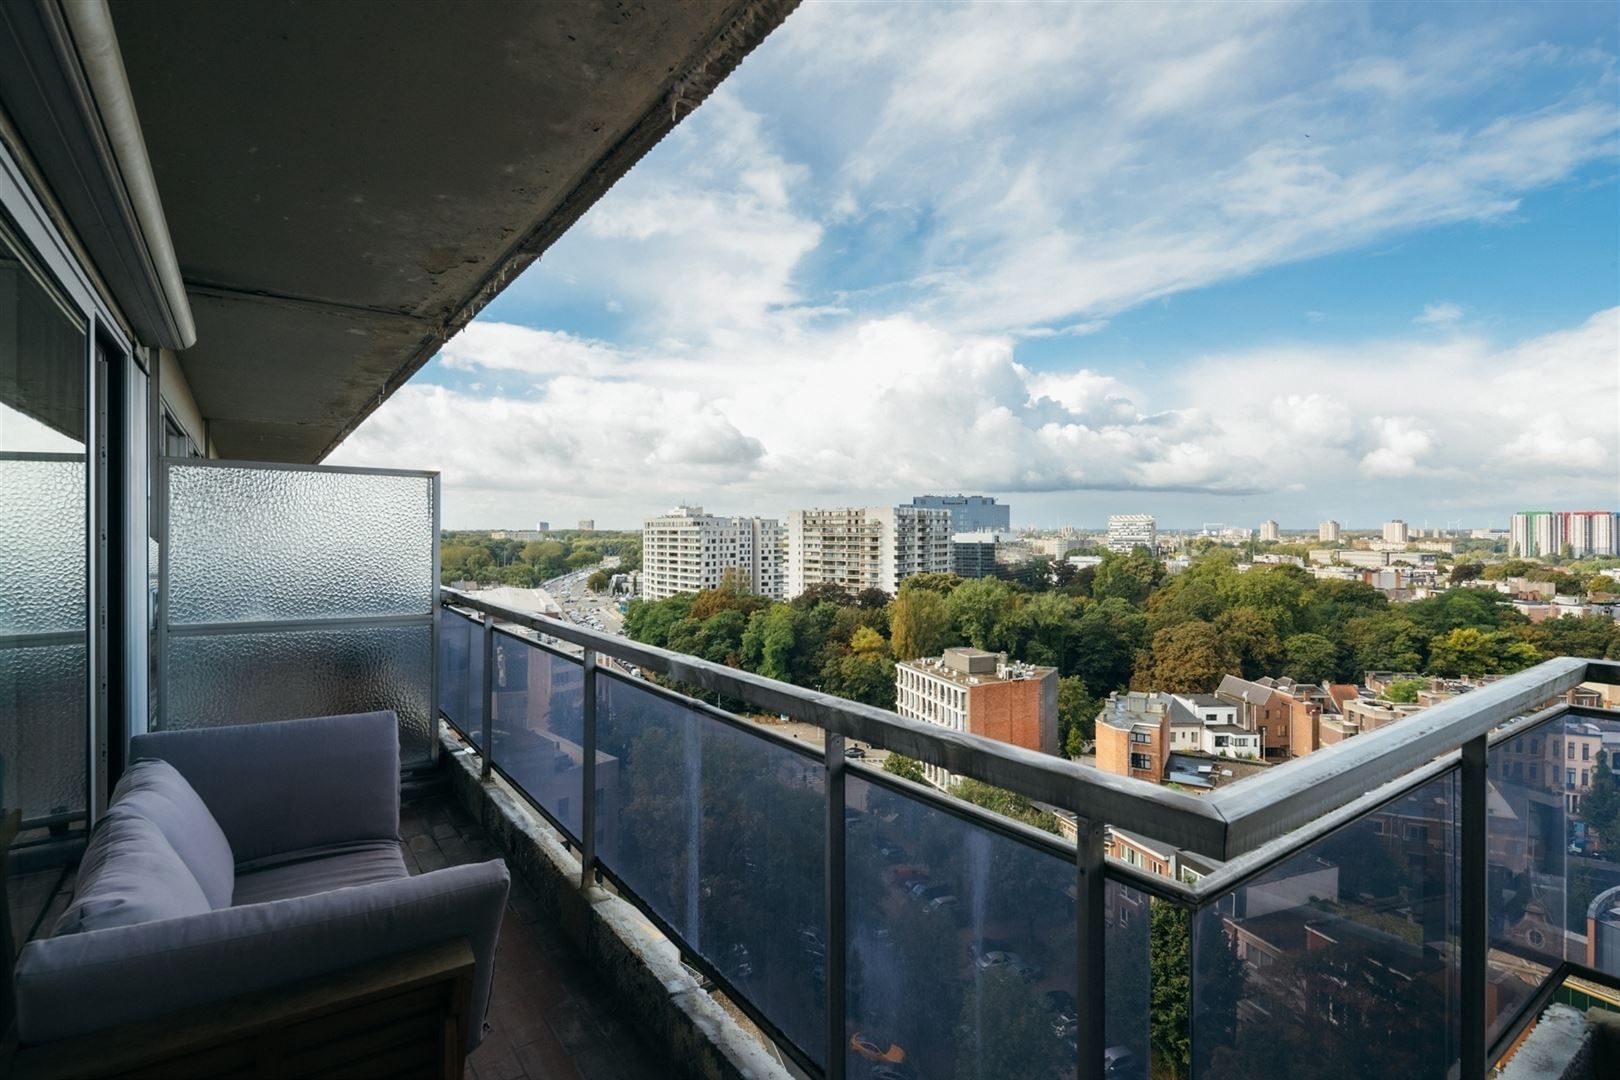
<point x="130" y="875"/>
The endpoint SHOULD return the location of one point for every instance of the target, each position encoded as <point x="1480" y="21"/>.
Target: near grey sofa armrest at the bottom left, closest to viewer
<point x="87" y="982"/>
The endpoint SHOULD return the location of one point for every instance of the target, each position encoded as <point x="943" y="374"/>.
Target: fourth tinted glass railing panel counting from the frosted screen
<point x="961" y="945"/>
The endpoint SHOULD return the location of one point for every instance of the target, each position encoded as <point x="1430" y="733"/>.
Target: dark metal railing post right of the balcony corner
<point x="1475" y="930"/>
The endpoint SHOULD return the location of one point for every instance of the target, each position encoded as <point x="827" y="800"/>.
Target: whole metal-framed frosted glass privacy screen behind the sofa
<point x="299" y="590"/>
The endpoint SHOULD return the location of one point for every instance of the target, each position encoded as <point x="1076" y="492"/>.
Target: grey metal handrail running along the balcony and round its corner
<point x="1224" y="825"/>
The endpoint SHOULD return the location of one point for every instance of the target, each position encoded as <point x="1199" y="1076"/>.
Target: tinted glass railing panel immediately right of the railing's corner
<point x="1342" y="963"/>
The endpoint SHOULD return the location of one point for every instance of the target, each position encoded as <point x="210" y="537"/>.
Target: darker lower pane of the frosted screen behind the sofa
<point x="216" y="681"/>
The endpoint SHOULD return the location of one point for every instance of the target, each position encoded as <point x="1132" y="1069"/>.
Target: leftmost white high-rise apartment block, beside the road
<point x="689" y="551"/>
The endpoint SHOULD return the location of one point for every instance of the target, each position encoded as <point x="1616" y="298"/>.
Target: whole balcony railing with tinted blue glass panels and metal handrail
<point x="1399" y="904"/>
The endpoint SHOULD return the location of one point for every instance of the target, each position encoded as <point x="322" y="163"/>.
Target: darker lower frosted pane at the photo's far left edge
<point x="43" y="729"/>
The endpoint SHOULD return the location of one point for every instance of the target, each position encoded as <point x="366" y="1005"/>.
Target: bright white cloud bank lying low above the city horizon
<point x="897" y="406"/>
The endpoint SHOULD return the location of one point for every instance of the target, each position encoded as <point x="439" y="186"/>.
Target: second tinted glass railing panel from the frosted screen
<point x="539" y="728"/>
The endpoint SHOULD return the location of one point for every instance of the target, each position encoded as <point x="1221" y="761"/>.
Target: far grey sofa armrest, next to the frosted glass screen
<point x="292" y="784"/>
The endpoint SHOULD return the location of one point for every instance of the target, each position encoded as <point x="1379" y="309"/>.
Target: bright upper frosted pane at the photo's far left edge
<point x="41" y="543"/>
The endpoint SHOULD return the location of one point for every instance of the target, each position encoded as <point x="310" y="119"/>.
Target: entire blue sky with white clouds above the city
<point x="1214" y="263"/>
